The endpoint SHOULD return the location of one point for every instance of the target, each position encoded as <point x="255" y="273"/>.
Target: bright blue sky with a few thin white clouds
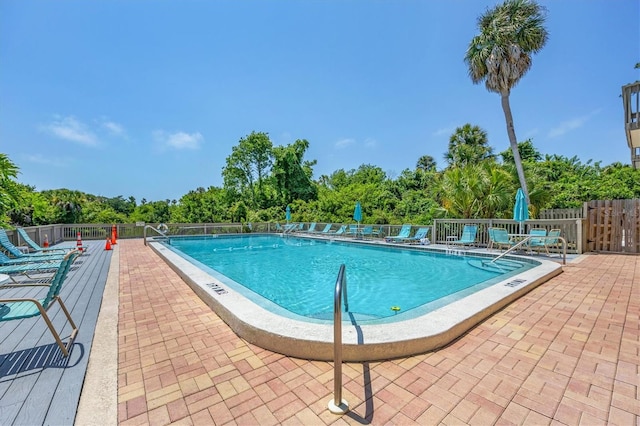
<point x="147" y="98"/>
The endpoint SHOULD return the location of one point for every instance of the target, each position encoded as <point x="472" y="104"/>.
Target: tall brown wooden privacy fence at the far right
<point x="613" y="226"/>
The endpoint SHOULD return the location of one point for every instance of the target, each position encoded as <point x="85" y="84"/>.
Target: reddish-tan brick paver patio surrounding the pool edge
<point x="566" y="353"/>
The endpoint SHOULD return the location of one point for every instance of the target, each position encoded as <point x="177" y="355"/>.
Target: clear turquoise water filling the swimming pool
<point x="297" y="275"/>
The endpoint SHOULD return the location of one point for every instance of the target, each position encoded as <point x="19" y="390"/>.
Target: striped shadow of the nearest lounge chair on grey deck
<point x="36" y="359"/>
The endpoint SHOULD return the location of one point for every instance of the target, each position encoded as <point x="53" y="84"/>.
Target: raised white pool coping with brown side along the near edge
<point x="361" y="342"/>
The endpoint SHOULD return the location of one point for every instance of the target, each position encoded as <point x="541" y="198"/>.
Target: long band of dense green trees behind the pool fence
<point x="260" y="180"/>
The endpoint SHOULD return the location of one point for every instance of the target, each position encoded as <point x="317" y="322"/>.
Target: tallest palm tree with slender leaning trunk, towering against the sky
<point x="500" y="56"/>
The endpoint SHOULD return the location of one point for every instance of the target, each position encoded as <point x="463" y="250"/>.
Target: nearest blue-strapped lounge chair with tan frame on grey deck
<point x="24" y="307"/>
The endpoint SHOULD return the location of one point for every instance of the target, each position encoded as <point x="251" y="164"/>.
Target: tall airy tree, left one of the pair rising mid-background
<point x="248" y="166"/>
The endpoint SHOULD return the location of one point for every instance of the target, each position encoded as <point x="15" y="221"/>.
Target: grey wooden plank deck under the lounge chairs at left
<point x="37" y="384"/>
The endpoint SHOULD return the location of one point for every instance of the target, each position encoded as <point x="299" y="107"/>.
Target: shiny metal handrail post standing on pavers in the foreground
<point x="338" y="405"/>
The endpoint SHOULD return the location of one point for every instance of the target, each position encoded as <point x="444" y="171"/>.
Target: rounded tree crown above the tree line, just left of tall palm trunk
<point x="468" y="145"/>
